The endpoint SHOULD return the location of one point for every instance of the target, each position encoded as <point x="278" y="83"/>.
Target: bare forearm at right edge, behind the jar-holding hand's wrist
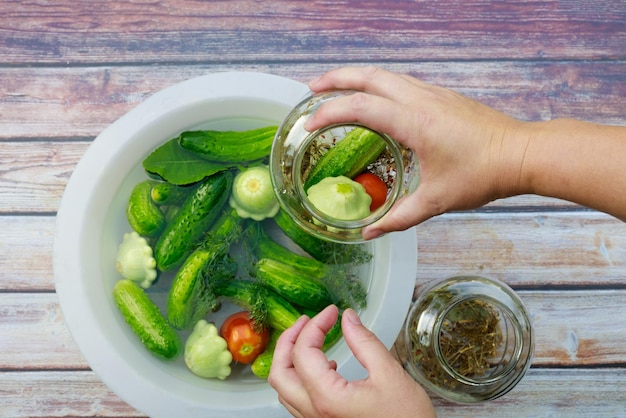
<point x="577" y="161"/>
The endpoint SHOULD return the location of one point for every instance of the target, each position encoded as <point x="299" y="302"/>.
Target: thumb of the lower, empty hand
<point x="366" y="347"/>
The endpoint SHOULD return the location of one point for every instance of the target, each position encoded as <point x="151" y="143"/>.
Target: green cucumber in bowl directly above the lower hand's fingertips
<point x="294" y="285"/>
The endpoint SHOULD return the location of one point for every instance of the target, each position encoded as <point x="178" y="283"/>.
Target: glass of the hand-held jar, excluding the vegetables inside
<point x="295" y="150"/>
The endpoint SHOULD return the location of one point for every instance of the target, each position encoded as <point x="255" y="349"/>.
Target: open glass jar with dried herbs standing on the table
<point x="467" y="339"/>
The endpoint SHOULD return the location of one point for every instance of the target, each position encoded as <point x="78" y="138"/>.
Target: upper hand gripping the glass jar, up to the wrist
<point x="469" y="153"/>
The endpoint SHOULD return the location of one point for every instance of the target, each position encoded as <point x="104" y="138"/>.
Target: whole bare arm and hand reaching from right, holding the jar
<point x="471" y="154"/>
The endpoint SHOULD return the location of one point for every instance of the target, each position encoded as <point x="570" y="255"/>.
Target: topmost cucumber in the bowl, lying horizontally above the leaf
<point x="229" y="146"/>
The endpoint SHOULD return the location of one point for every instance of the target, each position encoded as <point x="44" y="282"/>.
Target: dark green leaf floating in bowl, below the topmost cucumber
<point x="176" y="165"/>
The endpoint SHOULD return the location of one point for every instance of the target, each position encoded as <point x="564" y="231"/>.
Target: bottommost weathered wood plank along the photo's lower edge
<point x="542" y="393"/>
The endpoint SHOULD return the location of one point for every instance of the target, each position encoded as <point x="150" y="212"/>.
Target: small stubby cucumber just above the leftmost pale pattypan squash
<point x="143" y="215"/>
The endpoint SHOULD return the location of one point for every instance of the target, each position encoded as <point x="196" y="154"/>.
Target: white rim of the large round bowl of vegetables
<point x="145" y="394"/>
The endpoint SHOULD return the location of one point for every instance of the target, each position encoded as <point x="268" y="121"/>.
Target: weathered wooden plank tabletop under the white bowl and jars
<point x="69" y="69"/>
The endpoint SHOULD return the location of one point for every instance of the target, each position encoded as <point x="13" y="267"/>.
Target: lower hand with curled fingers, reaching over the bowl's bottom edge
<point x="308" y="384"/>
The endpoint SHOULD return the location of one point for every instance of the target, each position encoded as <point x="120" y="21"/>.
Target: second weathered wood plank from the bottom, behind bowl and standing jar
<point x="571" y="329"/>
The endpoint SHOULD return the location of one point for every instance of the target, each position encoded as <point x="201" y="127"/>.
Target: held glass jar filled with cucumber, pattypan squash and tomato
<point x="336" y="180"/>
